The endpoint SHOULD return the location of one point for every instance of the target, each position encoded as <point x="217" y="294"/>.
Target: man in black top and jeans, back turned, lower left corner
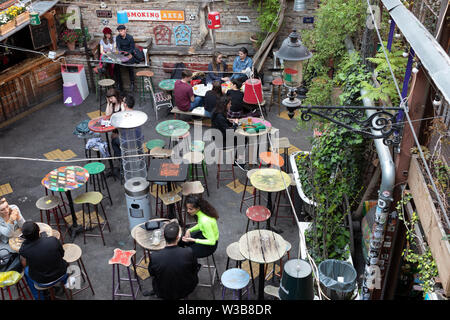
<point x="42" y="258"/>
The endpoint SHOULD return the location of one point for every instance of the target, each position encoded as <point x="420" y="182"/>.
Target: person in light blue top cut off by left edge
<point x="10" y="220"/>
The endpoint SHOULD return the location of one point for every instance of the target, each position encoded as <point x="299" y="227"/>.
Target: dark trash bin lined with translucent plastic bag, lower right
<point x="329" y="271"/>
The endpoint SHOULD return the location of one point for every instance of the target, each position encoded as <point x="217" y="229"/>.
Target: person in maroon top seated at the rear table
<point x="183" y="93"/>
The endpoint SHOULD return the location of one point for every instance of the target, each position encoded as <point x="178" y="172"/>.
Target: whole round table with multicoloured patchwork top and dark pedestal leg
<point x="65" y="179"/>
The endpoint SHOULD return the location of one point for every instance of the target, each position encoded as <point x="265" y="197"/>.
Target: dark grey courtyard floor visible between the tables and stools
<point x="51" y="128"/>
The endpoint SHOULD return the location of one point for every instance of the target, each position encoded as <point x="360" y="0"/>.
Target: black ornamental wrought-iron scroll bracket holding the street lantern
<point x="382" y="121"/>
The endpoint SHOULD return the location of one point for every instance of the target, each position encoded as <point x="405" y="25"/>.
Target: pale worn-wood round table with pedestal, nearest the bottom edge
<point x="262" y="247"/>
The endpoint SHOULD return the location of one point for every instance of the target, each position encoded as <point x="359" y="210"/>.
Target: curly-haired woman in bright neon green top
<point x="204" y="236"/>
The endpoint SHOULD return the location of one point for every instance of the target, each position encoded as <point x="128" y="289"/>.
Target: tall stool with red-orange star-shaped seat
<point x="124" y="258"/>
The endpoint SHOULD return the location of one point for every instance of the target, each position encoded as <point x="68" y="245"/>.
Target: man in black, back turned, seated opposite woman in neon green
<point x="174" y="269"/>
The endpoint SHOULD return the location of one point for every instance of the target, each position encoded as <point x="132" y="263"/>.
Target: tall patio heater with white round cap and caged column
<point x="129" y="124"/>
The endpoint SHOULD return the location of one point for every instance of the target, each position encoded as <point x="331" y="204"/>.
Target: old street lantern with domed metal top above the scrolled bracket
<point x="293" y="53"/>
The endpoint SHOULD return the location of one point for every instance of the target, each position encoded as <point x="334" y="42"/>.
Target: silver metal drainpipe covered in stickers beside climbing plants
<point x="372" y="273"/>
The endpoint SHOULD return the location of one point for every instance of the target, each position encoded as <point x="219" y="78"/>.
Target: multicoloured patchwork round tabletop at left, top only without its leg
<point x="65" y="178"/>
